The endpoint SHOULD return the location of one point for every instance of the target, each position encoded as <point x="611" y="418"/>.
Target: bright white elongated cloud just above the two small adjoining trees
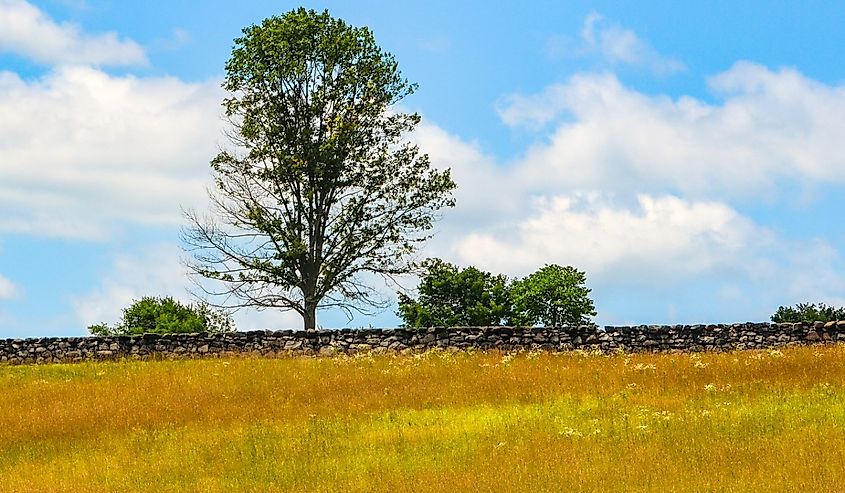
<point x="660" y="237"/>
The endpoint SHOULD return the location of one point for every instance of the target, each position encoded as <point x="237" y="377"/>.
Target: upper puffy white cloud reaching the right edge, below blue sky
<point x="771" y="129"/>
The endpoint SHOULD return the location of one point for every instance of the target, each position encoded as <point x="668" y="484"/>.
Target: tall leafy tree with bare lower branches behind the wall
<point x="320" y="185"/>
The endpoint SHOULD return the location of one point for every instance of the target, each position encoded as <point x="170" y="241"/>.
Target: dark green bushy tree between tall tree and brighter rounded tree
<point x="453" y="297"/>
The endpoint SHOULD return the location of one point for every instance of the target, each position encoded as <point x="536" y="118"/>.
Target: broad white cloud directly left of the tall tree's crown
<point x="82" y="149"/>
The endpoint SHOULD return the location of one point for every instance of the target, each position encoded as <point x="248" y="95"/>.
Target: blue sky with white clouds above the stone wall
<point x="686" y="155"/>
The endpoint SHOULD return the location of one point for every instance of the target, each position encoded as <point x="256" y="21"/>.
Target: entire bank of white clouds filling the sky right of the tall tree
<point x="644" y="192"/>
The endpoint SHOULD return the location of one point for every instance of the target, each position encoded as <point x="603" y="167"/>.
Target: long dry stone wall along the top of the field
<point x="666" y="338"/>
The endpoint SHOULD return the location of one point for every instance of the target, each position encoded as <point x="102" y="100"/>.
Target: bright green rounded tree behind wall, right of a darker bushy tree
<point x="554" y="296"/>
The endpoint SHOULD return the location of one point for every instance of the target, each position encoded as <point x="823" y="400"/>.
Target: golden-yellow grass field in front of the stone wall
<point x="741" y="421"/>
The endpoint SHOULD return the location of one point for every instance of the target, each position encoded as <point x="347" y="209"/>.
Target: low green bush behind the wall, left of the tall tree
<point x="166" y="316"/>
